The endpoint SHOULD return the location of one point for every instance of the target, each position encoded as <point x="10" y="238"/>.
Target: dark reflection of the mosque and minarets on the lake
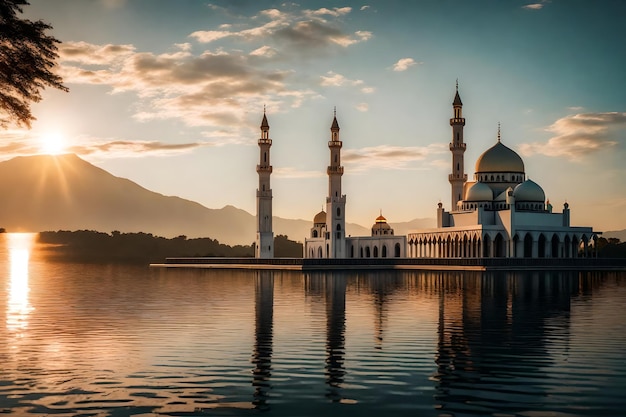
<point x="493" y="330"/>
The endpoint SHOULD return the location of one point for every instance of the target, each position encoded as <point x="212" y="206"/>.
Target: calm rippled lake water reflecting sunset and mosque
<point x="111" y="340"/>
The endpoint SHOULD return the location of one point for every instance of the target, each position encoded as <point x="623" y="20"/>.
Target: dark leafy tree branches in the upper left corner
<point x="27" y="58"/>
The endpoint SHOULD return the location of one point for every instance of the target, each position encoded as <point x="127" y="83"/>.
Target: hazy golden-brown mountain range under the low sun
<point x="64" y="192"/>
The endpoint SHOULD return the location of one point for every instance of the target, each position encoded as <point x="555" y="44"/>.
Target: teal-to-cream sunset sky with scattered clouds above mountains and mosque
<point x="170" y="94"/>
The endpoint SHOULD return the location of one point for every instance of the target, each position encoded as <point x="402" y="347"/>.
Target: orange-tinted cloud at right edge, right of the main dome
<point x="578" y="135"/>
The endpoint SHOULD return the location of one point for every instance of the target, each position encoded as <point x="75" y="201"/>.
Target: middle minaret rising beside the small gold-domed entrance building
<point x="335" y="202"/>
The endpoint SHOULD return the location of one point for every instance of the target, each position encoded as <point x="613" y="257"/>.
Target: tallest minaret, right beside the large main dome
<point x="457" y="147"/>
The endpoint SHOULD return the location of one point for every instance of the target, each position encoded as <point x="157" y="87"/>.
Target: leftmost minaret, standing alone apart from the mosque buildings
<point x="264" y="234"/>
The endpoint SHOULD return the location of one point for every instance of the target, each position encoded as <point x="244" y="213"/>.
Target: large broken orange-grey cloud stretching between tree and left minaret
<point x="202" y="90"/>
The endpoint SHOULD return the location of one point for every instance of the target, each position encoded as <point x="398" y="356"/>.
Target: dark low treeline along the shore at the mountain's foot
<point x="93" y="246"/>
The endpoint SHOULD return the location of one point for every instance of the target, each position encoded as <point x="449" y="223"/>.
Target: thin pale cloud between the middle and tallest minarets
<point x="388" y="156"/>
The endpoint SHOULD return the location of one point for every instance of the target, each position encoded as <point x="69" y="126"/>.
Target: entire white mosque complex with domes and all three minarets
<point x="499" y="213"/>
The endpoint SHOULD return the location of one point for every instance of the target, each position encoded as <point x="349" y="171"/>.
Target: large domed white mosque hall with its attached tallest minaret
<point x="498" y="214"/>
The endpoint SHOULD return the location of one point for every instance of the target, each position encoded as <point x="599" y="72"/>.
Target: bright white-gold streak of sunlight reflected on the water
<point x="18" y="306"/>
